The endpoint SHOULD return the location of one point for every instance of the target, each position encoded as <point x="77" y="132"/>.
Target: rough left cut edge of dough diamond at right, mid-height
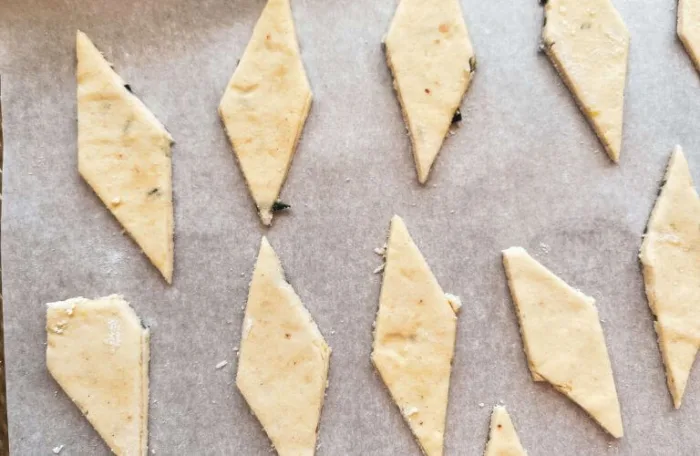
<point x="650" y="293"/>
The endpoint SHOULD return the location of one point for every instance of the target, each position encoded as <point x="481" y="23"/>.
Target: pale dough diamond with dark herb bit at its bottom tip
<point x="265" y="105"/>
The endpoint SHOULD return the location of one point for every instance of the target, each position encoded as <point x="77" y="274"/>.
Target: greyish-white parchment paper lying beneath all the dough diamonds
<point x="523" y="169"/>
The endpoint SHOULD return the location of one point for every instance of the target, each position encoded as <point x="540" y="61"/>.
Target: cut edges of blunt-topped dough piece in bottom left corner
<point x="145" y="362"/>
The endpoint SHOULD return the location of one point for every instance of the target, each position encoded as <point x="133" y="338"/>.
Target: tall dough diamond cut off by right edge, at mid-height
<point x="670" y="257"/>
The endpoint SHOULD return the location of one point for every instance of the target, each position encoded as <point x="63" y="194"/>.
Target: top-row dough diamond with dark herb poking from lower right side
<point x="431" y="59"/>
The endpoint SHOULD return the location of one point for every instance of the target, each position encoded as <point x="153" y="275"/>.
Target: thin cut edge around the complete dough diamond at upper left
<point x="140" y="105"/>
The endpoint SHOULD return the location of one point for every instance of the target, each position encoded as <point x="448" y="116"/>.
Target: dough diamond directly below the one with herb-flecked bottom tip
<point x="283" y="361"/>
